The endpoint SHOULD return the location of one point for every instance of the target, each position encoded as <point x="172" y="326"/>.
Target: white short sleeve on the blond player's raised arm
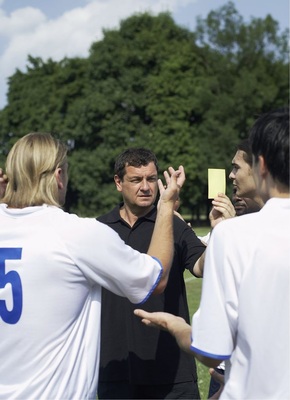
<point x="106" y="260"/>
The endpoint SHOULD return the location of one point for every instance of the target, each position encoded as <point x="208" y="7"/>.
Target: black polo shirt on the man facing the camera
<point x="129" y="350"/>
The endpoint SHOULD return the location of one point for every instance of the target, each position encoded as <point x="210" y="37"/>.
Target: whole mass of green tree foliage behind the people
<point x="189" y="96"/>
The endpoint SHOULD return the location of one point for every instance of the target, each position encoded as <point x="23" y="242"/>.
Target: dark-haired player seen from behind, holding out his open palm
<point x="244" y="315"/>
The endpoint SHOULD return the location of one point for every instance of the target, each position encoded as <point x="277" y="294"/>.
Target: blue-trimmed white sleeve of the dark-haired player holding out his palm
<point x="214" y="324"/>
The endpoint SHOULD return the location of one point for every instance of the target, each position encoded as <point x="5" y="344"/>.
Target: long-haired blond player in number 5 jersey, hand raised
<point x="52" y="267"/>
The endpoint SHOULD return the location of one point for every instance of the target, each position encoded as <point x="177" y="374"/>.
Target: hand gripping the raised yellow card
<point x="222" y="209"/>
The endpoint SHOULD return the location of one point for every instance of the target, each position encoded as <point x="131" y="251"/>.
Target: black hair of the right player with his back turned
<point x="269" y="137"/>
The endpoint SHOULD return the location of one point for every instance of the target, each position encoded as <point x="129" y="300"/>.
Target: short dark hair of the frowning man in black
<point x="135" y="157"/>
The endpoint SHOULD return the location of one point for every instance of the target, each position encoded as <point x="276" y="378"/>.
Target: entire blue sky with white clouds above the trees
<point x="66" y="28"/>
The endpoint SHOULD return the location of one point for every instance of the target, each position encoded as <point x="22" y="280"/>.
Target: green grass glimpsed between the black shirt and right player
<point x="193" y="288"/>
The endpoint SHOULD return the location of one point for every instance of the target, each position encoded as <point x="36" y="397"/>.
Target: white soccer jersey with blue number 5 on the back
<point x="52" y="267"/>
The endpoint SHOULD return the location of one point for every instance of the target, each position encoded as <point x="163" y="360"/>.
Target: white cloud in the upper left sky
<point x="28" y="31"/>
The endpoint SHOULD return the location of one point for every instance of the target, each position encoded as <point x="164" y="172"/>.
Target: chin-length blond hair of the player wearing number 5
<point x="30" y="168"/>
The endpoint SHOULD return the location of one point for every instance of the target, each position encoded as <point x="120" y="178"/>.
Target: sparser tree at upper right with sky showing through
<point x="256" y="69"/>
